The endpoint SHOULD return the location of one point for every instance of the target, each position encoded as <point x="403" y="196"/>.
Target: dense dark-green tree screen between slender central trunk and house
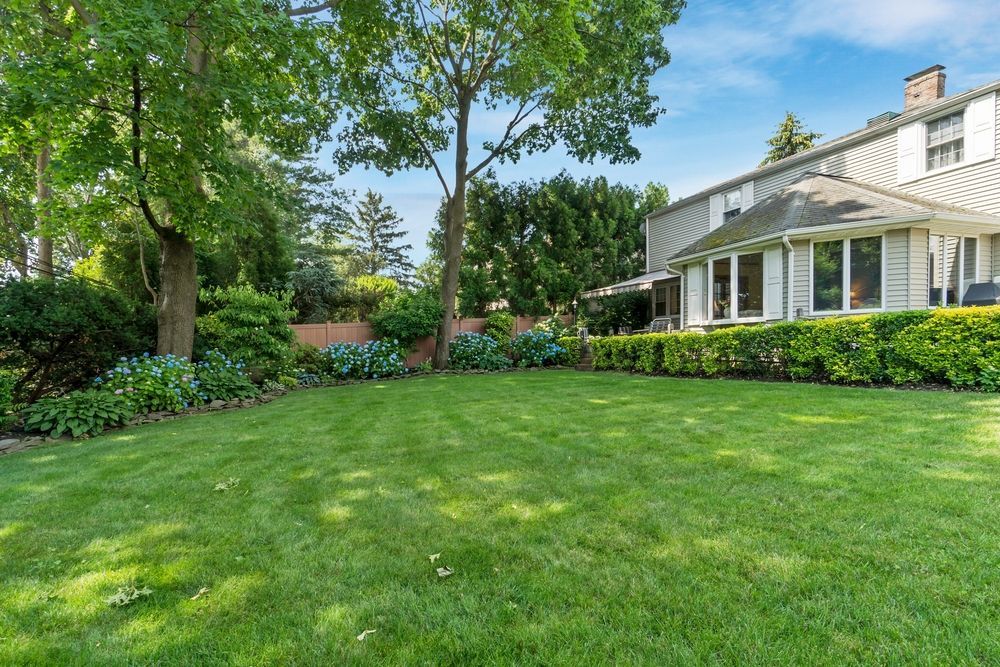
<point x="533" y="246"/>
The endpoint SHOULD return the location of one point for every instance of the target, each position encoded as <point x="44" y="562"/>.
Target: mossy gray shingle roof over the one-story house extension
<point x="815" y="200"/>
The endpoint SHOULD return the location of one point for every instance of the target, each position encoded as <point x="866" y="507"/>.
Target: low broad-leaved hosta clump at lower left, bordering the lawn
<point x="78" y="413"/>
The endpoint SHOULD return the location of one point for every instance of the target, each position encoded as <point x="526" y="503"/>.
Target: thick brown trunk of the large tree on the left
<point x="178" y="295"/>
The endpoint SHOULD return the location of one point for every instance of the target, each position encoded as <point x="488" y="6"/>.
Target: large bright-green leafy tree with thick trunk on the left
<point x="140" y="101"/>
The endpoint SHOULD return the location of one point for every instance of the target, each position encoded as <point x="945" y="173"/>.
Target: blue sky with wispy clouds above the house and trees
<point x="736" y="68"/>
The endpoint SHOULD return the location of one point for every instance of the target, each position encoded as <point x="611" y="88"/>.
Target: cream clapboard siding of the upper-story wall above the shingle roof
<point x="874" y="161"/>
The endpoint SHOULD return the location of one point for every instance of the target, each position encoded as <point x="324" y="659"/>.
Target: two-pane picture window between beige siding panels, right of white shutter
<point x="847" y="275"/>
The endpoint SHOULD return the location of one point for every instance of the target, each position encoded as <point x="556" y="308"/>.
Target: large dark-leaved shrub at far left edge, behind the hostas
<point x="56" y="335"/>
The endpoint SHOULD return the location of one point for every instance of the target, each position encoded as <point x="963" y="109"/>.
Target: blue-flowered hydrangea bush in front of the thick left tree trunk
<point x="151" y="383"/>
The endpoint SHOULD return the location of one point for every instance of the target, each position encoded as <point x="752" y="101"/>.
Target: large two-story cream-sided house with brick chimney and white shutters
<point x="903" y="214"/>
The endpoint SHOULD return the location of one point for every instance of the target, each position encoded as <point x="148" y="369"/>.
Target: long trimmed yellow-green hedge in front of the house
<point x="956" y="346"/>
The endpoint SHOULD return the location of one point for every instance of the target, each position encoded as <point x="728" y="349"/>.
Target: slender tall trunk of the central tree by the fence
<point x="454" y="232"/>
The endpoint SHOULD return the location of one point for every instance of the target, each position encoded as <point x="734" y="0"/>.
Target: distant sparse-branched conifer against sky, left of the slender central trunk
<point x="374" y="236"/>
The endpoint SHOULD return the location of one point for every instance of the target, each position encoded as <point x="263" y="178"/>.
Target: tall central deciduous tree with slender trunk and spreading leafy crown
<point x="424" y="76"/>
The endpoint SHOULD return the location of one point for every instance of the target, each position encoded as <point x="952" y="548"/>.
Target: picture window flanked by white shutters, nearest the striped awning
<point x="737" y="287"/>
